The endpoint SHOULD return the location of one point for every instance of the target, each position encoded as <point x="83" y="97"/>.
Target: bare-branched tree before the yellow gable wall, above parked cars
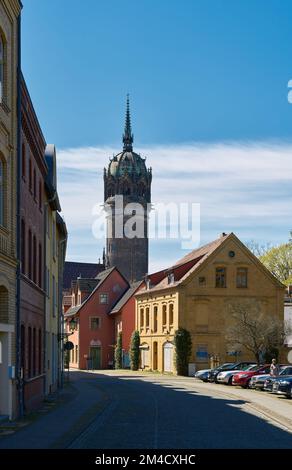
<point x="255" y="331"/>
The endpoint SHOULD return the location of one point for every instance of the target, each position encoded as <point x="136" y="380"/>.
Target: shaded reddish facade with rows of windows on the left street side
<point x="32" y="295"/>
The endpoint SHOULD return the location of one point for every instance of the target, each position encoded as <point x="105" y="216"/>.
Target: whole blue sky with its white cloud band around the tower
<point x="207" y="76"/>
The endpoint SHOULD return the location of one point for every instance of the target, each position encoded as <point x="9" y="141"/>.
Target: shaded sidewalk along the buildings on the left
<point x="56" y="426"/>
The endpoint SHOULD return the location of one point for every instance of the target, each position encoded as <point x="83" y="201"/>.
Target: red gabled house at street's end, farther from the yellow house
<point x="90" y="321"/>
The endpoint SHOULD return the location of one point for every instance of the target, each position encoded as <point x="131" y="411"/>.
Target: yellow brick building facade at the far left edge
<point x="9" y="105"/>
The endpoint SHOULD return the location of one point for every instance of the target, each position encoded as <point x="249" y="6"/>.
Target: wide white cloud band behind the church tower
<point x="245" y="187"/>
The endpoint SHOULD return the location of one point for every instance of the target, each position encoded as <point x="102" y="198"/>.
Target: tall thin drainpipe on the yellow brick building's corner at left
<point x="19" y="378"/>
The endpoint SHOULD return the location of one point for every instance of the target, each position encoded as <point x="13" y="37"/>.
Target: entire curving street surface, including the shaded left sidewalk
<point x="124" y="410"/>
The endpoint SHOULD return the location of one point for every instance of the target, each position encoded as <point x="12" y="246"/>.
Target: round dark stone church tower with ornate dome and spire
<point x="127" y="181"/>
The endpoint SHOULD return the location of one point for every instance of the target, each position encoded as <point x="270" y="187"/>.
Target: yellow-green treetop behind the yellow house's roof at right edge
<point x="279" y="261"/>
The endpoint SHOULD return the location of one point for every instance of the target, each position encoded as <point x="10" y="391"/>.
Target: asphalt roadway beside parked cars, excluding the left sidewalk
<point x="170" y="412"/>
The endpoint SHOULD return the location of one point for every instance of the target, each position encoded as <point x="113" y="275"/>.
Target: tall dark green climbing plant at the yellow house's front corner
<point x="183" y="350"/>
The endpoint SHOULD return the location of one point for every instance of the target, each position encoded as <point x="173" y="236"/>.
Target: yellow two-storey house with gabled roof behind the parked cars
<point x="197" y="294"/>
